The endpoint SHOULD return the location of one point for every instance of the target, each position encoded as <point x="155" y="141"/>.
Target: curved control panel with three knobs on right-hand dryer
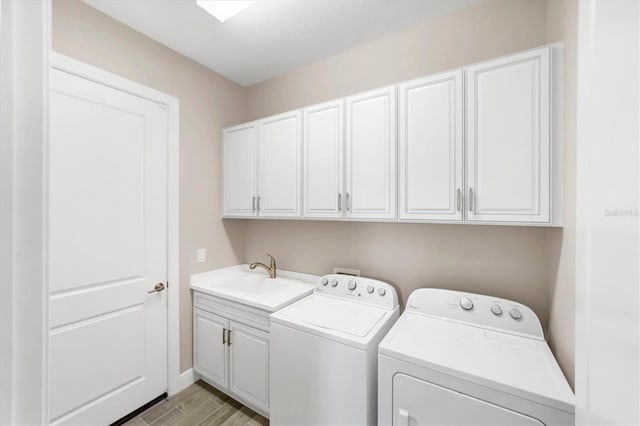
<point x="476" y="309"/>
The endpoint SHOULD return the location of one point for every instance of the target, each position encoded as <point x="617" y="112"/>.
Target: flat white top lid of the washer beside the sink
<point x="356" y="319"/>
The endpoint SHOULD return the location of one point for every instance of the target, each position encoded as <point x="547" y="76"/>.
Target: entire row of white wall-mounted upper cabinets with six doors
<point x="480" y="144"/>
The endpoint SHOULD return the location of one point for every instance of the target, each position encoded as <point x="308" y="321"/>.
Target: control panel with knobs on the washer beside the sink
<point x="366" y="290"/>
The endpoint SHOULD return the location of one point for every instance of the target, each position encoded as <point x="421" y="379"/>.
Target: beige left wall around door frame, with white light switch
<point x="208" y="102"/>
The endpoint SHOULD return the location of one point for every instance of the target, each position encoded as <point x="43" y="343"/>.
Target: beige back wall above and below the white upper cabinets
<point x="518" y="263"/>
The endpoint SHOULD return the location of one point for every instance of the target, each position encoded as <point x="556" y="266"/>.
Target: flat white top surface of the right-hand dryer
<point x="513" y="364"/>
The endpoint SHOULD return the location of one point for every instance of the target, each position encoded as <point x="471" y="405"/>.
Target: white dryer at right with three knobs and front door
<point x="464" y="359"/>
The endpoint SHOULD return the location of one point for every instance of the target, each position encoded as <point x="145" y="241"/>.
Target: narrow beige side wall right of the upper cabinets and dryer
<point x="562" y="25"/>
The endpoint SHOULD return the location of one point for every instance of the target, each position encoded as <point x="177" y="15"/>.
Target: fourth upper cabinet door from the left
<point x="371" y="155"/>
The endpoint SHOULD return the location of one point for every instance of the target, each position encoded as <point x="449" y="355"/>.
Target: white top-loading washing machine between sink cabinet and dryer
<point x="323" y="352"/>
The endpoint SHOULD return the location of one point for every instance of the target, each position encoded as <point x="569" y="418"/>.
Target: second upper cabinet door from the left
<point x="280" y="171"/>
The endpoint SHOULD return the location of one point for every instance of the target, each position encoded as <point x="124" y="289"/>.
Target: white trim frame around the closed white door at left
<point x="175" y="381"/>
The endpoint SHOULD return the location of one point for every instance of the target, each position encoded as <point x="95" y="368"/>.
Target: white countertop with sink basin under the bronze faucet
<point x="254" y="287"/>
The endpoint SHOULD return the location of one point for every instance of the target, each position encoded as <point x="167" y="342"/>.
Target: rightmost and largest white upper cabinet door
<point x="508" y="138"/>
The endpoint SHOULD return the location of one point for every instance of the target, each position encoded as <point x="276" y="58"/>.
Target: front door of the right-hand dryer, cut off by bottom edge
<point x="416" y="402"/>
